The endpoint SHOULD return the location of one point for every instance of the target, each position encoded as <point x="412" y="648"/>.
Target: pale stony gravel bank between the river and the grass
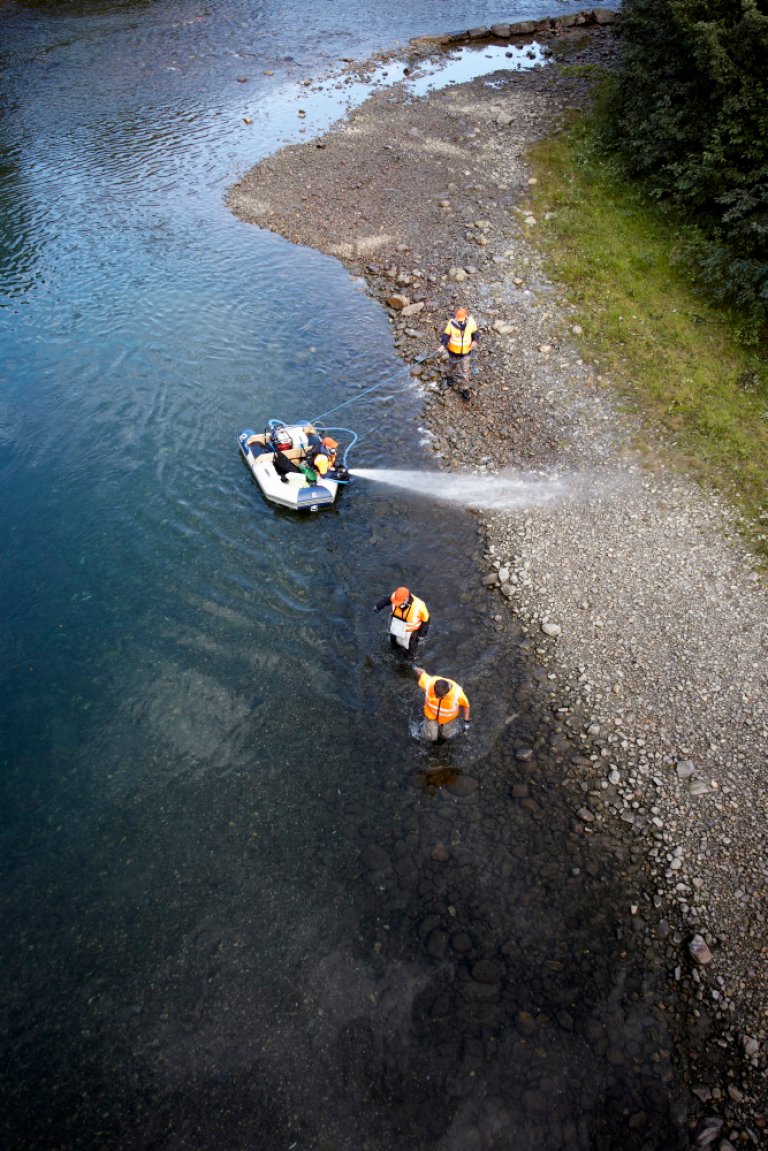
<point x="644" y="608"/>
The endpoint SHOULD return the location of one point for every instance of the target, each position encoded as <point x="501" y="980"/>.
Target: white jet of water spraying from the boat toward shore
<point x="484" y="493"/>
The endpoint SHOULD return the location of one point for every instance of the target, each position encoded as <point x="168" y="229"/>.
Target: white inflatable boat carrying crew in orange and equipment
<point x="295" y="464"/>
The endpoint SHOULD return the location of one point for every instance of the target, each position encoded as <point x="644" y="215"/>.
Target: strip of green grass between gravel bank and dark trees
<point x="645" y="327"/>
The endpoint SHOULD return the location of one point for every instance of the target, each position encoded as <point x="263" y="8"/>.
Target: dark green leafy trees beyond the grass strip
<point x="691" y="121"/>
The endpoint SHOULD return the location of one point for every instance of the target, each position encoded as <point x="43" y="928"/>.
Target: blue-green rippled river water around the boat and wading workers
<point x="241" y="905"/>
